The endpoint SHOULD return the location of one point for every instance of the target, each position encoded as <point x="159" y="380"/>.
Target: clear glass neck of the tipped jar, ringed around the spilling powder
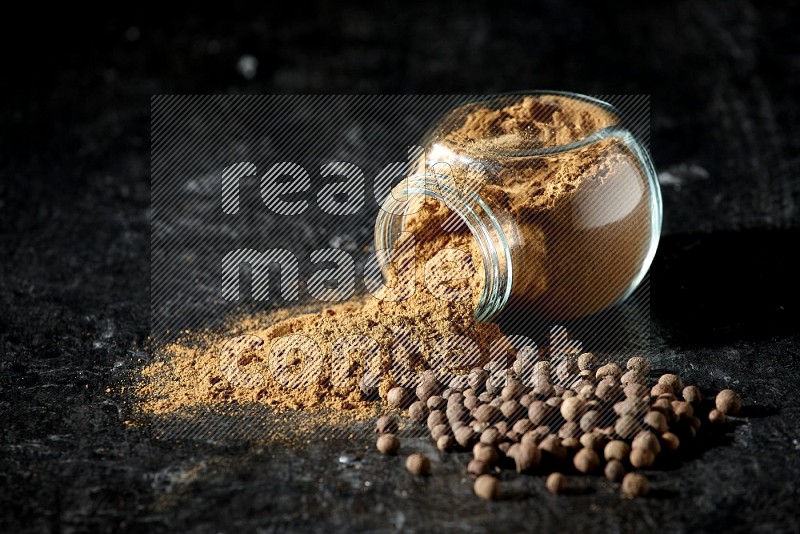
<point x="473" y="211"/>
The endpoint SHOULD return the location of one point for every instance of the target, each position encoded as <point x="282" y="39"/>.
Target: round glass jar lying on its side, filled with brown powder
<point x="560" y="201"/>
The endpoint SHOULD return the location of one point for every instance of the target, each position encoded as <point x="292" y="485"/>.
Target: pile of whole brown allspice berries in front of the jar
<point x="566" y="417"/>
